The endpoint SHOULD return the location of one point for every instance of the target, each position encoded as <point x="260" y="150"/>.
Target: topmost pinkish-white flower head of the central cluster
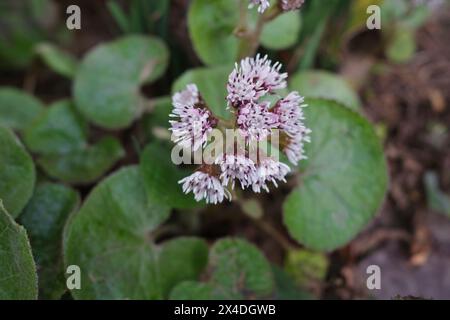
<point x="252" y="79"/>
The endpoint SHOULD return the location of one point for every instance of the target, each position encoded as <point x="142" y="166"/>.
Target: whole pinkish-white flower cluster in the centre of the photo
<point x="251" y="85"/>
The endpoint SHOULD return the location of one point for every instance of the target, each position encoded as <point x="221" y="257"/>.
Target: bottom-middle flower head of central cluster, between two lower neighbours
<point x="237" y="167"/>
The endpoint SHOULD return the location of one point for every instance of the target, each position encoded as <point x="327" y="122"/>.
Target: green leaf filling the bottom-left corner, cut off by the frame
<point x="18" y="271"/>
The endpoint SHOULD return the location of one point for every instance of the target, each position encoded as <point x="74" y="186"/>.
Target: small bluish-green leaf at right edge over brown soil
<point x="436" y="198"/>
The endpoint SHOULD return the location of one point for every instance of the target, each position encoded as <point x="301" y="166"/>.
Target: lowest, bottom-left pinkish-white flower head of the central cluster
<point x="205" y="186"/>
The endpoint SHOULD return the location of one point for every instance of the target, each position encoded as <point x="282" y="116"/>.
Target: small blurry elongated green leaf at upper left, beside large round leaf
<point x="59" y="61"/>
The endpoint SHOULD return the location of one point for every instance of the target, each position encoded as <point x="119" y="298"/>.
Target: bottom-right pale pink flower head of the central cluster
<point x="269" y="170"/>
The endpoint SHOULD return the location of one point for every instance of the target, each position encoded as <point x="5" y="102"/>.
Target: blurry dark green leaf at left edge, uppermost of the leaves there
<point x="17" y="108"/>
